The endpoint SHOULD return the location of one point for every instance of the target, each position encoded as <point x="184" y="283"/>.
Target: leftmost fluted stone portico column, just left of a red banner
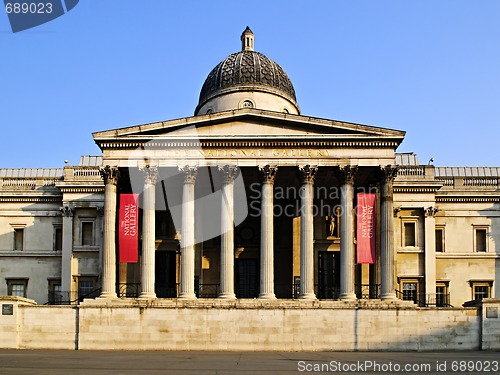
<point x="110" y="176"/>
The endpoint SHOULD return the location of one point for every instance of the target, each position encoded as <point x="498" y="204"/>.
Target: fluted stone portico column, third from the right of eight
<point x="307" y="175"/>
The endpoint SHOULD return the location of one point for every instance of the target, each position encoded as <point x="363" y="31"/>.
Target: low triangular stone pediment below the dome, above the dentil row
<point x="246" y="124"/>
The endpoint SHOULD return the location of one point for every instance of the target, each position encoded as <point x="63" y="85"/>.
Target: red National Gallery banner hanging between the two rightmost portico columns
<point x="366" y="228"/>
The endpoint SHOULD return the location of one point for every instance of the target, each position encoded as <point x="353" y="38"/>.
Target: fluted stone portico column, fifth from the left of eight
<point x="267" y="175"/>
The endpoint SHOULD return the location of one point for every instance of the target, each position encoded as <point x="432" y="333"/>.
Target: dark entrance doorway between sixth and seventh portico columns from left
<point x="329" y="274"/>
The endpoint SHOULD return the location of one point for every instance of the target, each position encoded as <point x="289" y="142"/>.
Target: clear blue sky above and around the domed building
<point x="431" y="68"/>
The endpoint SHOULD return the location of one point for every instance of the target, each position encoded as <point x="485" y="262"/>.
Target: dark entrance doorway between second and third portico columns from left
<point x="165" y="285"/>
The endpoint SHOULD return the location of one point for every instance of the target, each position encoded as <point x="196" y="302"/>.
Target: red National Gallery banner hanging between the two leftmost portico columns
<point x="128" y="231"/>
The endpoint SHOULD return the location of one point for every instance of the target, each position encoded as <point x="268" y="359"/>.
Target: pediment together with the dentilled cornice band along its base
<point x="294" y="131"/>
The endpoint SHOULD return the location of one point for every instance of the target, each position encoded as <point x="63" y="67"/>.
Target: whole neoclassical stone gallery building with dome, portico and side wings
<point x="250" y="199"/>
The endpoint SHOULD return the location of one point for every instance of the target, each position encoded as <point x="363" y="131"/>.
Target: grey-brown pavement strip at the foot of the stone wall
<point x="44" y="362"/>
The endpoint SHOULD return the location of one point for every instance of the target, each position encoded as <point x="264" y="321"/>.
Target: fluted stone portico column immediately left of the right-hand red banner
<point x="346" y="177"/>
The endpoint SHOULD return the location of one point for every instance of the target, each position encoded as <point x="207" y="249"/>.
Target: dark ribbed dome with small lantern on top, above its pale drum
<point x="247" y="70"/>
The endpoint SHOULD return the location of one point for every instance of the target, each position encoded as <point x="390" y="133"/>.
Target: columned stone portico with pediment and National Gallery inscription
<point x="280" y="169"/>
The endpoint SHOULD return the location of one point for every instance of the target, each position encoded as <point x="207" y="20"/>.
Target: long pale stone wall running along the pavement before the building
<point x="247" y="325"/>
